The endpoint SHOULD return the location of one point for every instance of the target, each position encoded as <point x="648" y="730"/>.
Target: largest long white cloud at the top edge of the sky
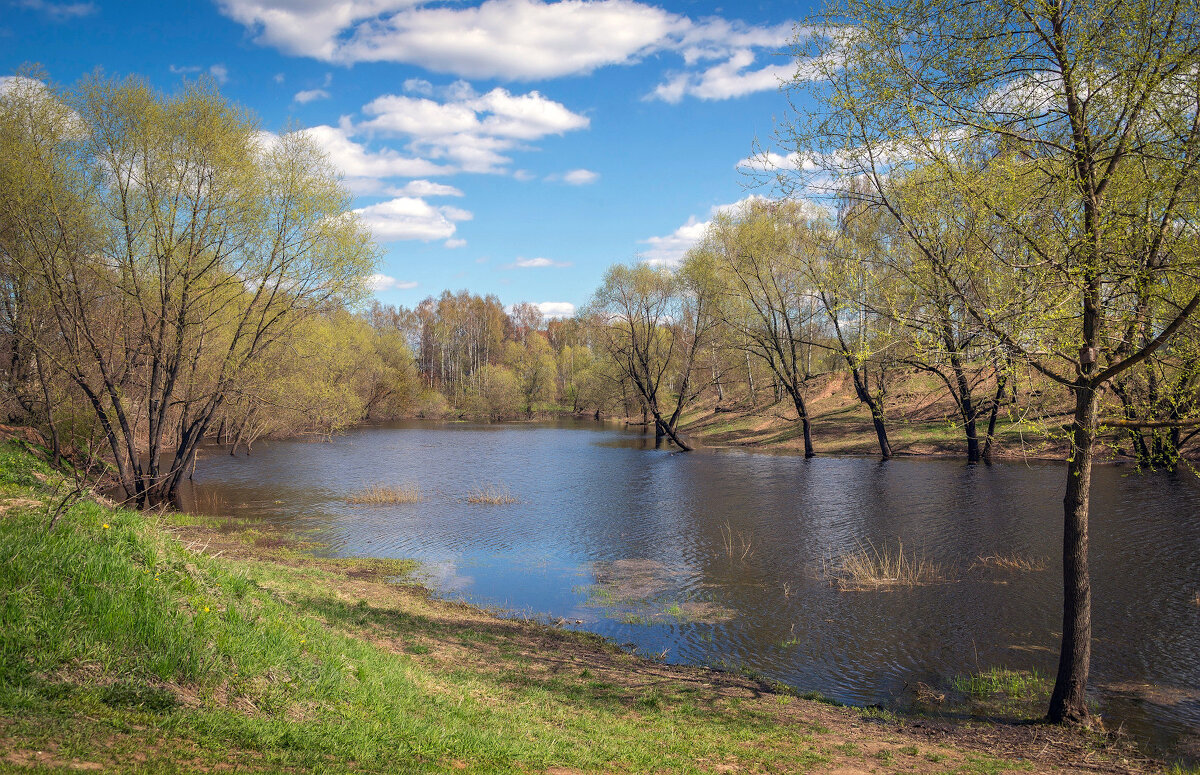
<point x="524" y="40"/>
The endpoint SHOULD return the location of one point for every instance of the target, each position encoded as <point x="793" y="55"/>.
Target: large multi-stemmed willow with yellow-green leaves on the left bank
<point x="173" y="243"/>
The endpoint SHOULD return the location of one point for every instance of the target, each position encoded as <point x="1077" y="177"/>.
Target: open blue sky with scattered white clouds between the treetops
<point x="508" y="147"/>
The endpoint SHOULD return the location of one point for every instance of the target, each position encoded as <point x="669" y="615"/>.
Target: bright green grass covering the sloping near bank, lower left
<point x="119" y="645"/>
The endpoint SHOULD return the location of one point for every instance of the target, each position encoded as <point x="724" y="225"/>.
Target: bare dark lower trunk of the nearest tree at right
<point x="1070" y="702"/>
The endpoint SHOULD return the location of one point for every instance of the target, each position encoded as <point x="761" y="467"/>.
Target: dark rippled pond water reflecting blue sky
<point x="717" y="558"/>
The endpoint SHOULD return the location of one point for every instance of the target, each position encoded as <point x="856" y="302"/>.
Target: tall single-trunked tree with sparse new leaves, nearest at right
<point x="1075" y="130"/>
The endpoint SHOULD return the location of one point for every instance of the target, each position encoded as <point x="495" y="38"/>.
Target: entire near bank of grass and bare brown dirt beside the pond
<point x="137" y="642"/>
